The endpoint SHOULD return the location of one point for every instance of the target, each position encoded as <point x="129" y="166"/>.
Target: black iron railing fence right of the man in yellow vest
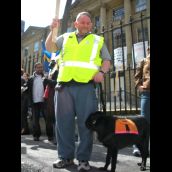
<point x="119" y="92"/>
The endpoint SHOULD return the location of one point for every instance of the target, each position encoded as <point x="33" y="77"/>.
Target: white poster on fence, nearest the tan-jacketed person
<point x="139" y="52"/>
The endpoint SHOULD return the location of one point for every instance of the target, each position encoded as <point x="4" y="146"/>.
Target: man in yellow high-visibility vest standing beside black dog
<point x="84" y="61"/>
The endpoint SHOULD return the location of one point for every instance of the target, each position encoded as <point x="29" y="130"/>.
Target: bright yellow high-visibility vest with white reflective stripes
<point x="80" y="61"/>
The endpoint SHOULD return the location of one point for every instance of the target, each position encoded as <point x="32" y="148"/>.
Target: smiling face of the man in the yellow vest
<point x="83" y="24"/>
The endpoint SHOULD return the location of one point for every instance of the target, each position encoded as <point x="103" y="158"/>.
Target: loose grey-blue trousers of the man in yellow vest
<point x="71" y="101"/>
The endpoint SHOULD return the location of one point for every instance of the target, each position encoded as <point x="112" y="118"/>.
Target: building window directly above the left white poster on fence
<point x="117" y="38"/>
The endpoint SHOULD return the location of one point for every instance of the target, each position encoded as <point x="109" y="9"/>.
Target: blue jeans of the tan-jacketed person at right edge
<point x="145" y="104"/>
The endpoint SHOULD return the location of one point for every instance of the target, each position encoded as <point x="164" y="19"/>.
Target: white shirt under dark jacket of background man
<point x="38" y="89"/>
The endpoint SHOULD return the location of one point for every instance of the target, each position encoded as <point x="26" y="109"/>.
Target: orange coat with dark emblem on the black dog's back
<point x="125" y="126"/>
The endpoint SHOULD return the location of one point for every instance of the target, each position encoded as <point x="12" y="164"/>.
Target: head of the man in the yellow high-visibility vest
<point x="83" y="23"/>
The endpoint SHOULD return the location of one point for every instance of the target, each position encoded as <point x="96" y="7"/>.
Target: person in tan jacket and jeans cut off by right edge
<point x="142" y="83"/>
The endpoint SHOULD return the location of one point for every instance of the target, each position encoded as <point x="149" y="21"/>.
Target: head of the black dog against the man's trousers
<point x="92" y="120"/>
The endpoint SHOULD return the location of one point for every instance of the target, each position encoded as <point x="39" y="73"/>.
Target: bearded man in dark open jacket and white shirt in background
<point x="37" y="84"/>
